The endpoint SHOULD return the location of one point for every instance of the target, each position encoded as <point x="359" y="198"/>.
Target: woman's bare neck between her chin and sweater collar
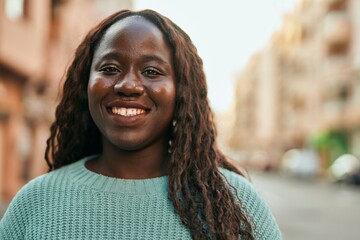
<point x="147" y="163"/>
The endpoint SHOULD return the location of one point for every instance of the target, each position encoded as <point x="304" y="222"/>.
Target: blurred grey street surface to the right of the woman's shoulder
<point x="309" y="209"/>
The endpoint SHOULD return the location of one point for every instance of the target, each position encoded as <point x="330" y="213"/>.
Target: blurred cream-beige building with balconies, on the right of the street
<point x="303" y="89"/>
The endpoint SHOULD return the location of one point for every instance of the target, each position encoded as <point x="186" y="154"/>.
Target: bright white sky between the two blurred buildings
<point x="226" y="33"/>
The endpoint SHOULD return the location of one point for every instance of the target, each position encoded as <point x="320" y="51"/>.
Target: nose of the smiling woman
<point x="129" y="85"/>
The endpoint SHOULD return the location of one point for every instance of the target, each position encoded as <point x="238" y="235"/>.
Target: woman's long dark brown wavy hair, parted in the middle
<point x="199" y="192"/>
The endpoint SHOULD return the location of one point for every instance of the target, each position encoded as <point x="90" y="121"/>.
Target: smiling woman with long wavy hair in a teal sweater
<point x="132" y="151"/>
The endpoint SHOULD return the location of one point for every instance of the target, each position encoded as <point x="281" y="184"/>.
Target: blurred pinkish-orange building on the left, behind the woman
<point x="37" y="40"/>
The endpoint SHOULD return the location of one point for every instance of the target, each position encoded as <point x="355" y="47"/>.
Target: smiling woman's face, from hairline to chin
<point x="131" y="90"/>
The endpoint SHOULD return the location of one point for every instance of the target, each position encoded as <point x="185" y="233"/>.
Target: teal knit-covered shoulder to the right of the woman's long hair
<point x="255" y="208"/>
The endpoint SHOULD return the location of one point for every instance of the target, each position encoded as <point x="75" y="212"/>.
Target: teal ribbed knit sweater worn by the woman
<point x="75" y="203"/>
